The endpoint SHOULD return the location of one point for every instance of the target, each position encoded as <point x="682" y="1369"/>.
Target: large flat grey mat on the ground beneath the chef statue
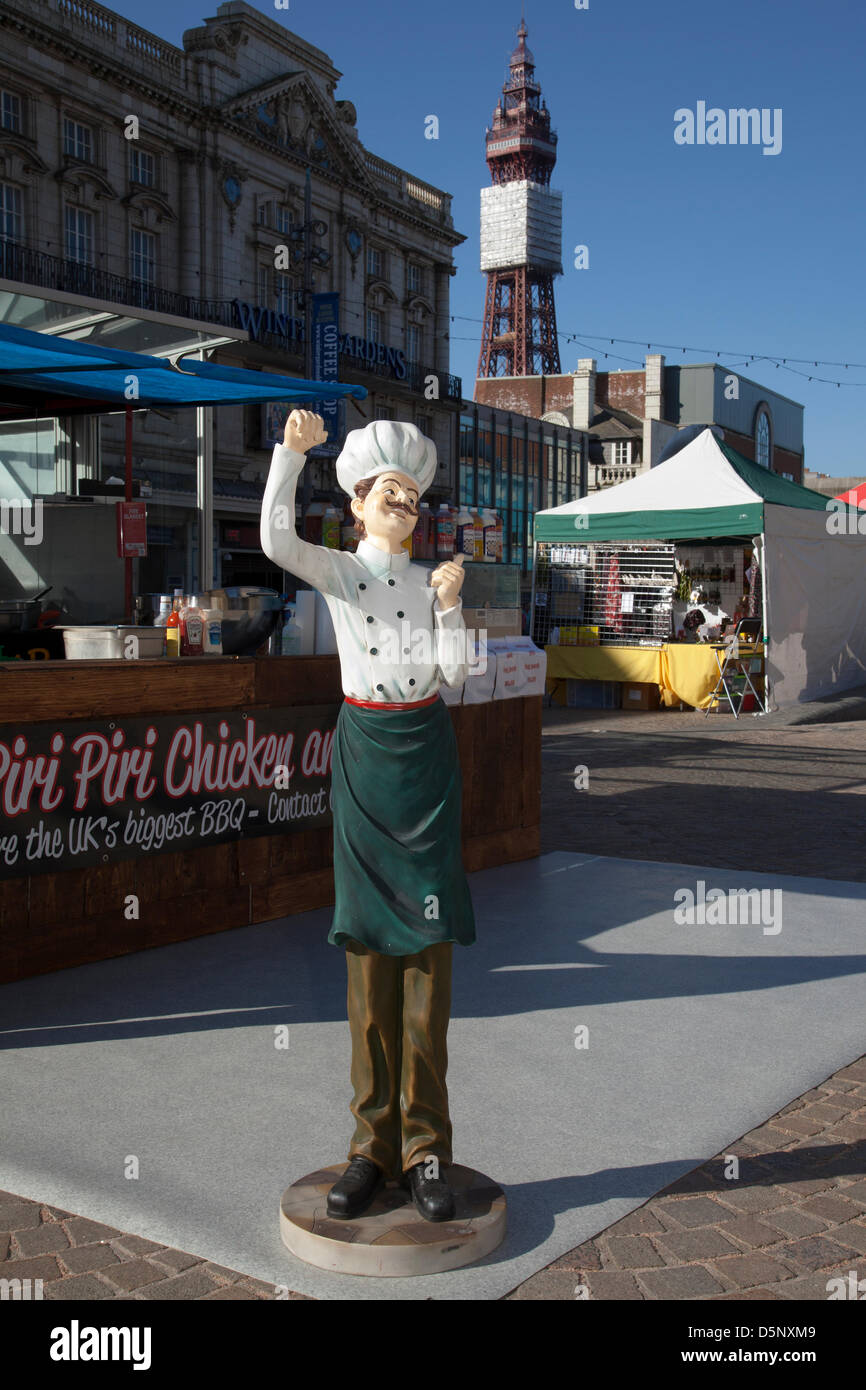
<point x="697" y="1033"/>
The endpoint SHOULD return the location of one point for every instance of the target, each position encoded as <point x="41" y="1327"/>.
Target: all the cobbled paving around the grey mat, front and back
<point x="675" y="787"/>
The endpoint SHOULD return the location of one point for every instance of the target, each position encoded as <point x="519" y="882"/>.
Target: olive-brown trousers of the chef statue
<point x="400" y="1010"/>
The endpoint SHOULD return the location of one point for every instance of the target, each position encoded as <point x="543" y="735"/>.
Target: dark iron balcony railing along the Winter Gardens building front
<point x="41" y="270"/>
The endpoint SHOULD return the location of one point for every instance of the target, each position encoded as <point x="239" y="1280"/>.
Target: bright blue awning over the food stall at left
<point x="42" y="375"/>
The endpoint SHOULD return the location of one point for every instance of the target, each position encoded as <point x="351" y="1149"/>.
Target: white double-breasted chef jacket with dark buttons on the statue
<point x="382" y="604"/>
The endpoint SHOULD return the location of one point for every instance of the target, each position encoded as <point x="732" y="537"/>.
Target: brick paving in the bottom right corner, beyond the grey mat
<point x="793" y="1220"/>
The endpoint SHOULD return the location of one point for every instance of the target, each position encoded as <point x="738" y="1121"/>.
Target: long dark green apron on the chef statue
<point x="398" y="864"/>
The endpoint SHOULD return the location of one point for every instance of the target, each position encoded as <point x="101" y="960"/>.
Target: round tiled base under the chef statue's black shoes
<point x="391" y="1238"/>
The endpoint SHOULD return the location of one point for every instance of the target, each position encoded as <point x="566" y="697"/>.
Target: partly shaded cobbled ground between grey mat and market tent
<point x="683" y="789"/>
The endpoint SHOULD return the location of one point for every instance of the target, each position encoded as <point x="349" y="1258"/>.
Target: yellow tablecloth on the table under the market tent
<point x="683" y="672"/>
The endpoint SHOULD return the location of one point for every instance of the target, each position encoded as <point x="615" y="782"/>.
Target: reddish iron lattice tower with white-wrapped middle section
<point x="521" y="230"/>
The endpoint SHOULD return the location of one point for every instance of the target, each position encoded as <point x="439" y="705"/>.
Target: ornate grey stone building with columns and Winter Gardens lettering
<point x="170" y="183"/>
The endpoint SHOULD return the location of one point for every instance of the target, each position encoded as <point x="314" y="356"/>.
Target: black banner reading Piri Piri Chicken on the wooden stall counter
<point x="90" y="793"/>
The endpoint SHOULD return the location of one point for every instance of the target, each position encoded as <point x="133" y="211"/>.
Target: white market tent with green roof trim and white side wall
<point x="811" y="554"/>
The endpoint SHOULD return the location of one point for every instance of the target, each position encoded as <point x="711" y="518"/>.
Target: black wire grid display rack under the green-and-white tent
<point x="604" y="594"/>
